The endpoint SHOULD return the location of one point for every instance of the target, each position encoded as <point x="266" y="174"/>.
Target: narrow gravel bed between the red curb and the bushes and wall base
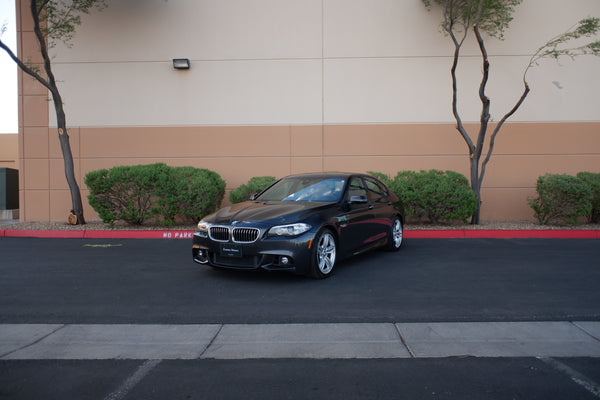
<point x="99" y="225"/>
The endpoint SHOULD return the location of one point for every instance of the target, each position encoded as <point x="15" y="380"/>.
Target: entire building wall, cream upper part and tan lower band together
<point x="281" y="86"/>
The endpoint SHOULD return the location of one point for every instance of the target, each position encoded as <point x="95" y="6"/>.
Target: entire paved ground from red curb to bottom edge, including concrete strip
<point x="511" y="295"/>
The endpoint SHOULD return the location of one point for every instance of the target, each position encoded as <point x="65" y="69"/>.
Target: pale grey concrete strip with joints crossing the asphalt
<point x="318" y="341"/>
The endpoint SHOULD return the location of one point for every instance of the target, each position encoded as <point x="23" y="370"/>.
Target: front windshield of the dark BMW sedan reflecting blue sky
<point x="305" y="188"/>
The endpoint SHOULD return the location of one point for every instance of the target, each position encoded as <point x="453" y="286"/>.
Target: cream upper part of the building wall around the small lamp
<point x="290" y="62"/>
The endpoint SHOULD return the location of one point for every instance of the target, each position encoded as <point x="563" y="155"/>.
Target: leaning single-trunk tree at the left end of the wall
<point x="56" y="20"/>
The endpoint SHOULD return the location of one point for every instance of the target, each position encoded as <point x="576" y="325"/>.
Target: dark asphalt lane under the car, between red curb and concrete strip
<point x="443" y="280"/>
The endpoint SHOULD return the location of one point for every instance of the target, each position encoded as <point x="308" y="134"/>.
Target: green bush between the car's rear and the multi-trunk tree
<point x="435" y="195"/>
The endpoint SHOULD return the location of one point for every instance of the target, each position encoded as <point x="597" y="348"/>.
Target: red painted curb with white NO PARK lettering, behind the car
<point x="409" y="234"/>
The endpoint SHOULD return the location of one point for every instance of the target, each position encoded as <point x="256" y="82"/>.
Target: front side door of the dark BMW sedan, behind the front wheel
<point x="357" y="227"/>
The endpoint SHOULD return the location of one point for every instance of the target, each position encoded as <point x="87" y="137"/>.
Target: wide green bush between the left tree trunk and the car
<point x="137" y="193"/>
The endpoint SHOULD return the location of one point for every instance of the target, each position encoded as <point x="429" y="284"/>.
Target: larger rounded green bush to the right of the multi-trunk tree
<point x="562" y="199"/>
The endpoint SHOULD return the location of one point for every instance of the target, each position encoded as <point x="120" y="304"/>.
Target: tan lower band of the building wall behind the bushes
<point x="523" y="152"/>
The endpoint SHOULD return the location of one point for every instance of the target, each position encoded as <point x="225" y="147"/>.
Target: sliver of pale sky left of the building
<point x="9" y="121"/>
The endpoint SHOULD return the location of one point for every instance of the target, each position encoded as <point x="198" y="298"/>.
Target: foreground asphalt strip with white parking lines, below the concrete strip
<point x="443" y="378"/>
